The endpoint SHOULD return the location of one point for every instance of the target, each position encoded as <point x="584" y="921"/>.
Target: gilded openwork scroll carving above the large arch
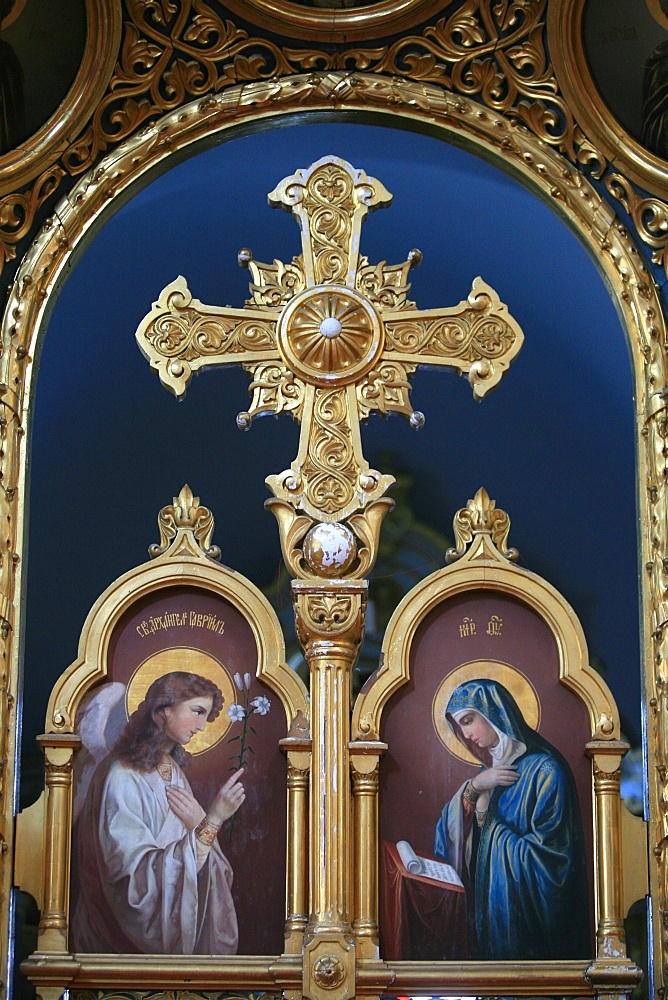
<point x="495" y="53"/>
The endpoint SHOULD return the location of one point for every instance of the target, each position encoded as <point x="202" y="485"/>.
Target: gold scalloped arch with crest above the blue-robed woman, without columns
<point x="483" y="567"/>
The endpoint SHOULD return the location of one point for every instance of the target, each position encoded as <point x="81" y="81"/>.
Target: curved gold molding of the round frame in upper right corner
<point x="566" y="44"/>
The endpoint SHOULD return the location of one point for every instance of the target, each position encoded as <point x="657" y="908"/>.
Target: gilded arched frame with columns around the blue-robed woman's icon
<point x="483" y="563"/>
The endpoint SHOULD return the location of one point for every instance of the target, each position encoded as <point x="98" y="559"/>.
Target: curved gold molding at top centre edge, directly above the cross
<point x="335" y="25"/>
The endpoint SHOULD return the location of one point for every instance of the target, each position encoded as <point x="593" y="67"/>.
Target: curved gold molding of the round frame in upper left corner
<point x="103" y="33"/>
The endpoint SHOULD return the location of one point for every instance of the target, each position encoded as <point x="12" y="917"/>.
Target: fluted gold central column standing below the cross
<point x="329" y="618"/>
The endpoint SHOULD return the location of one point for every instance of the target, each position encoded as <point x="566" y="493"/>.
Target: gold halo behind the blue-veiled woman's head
<point x="512" y="679"/>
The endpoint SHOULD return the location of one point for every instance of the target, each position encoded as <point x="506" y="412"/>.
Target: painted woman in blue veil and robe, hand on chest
<point x="513" y="833"/>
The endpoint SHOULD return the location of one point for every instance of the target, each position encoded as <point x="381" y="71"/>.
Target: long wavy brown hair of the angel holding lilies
<point x="141" y="744"/>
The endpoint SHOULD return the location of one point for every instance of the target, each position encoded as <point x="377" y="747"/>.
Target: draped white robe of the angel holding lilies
<point x="136" y="862"/>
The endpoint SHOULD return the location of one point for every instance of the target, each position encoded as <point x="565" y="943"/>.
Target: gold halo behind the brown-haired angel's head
<point x="193" y="661"/>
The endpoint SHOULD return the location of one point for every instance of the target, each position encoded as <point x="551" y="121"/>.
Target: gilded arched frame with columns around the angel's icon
<point x="46" y="826"/>
